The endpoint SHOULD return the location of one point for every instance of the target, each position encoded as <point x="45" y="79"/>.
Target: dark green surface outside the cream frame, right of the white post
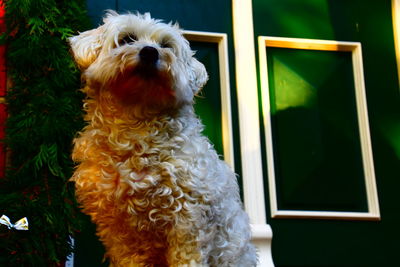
<point x="304" y="242"/>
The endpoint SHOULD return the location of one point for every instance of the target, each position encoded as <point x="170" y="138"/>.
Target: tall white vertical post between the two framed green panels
<point x="249" y="122"/>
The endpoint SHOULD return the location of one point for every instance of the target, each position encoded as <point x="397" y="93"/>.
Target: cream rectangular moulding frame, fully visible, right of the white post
<point x="362" y="116"/>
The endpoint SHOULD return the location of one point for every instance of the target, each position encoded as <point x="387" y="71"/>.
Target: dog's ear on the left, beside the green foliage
<point x="86" y="46"/>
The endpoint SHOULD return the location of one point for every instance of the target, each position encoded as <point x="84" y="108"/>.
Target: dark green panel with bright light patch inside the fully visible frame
<point x="317" y="150"/>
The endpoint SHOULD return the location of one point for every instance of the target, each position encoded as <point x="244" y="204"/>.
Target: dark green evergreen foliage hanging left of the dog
<point x="44" y="108"/>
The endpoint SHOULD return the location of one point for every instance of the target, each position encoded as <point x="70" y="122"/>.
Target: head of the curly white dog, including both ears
<point x="139" y="61"/>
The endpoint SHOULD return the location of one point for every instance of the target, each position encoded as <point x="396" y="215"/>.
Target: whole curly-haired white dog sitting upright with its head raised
<point x="146" y="175"/>
